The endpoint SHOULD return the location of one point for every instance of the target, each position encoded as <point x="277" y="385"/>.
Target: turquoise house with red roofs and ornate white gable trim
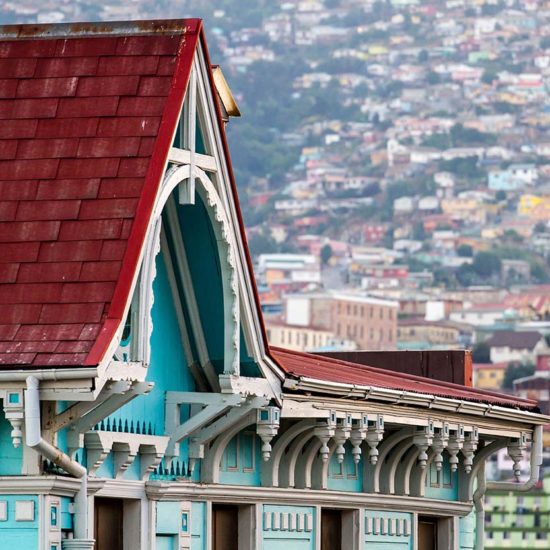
<point x="142" y="406"/>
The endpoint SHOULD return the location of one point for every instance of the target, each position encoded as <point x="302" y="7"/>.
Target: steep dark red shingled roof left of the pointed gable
<point x="86" y="122"/>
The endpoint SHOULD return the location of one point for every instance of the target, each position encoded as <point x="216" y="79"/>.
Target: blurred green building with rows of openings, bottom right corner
<point x="518" y="520"/>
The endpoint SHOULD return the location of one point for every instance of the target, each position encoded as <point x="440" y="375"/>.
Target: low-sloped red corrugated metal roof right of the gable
<point x="298" y="364"/>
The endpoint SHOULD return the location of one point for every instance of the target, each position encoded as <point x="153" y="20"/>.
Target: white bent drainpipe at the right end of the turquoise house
<point x="483" y="485"/>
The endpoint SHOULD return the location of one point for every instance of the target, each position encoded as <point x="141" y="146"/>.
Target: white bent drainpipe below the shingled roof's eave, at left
<point x="34" y="440"/>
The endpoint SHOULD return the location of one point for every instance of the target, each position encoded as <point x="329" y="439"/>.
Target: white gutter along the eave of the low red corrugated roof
<point x="403" y="397"/>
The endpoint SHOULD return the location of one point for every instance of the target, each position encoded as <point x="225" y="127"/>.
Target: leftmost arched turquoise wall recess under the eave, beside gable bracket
<point x="241" y="461"/>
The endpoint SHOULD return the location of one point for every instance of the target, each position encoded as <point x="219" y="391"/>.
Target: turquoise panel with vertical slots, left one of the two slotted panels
<point x="288" y="527"/>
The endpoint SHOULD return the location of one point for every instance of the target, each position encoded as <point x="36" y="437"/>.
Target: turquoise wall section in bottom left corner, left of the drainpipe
<point x="18" y="534"/>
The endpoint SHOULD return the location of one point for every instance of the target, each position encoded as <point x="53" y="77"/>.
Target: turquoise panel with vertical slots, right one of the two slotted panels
<point x="388" y="530"/>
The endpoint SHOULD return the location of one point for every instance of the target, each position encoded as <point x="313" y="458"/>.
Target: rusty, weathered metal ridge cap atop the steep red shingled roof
<point x="98" y="28"/>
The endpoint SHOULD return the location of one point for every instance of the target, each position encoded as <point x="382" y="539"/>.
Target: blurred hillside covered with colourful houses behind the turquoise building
<point x="393" y="163"/>
